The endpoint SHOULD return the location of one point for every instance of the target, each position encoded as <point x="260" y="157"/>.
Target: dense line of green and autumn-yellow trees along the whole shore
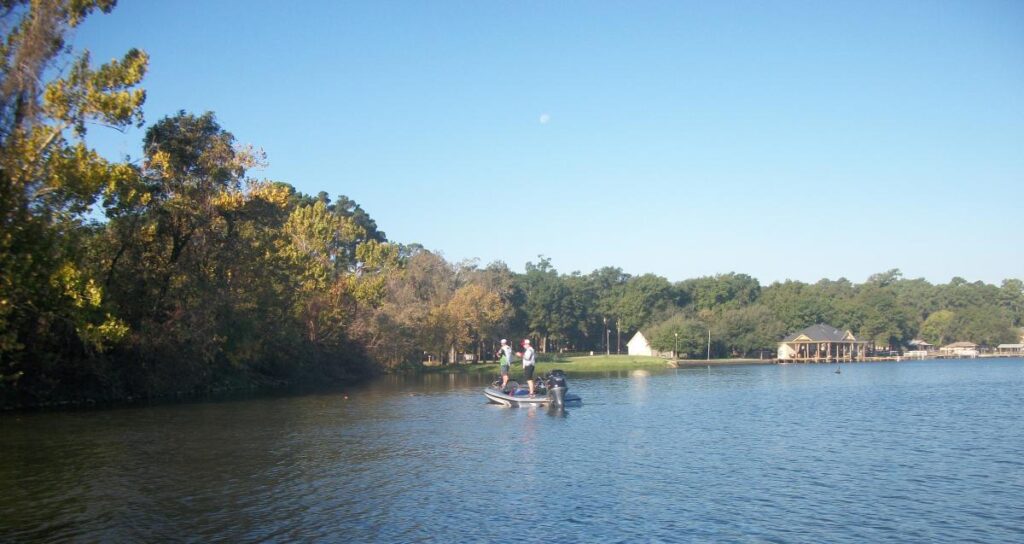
<point x="197" y="277"/>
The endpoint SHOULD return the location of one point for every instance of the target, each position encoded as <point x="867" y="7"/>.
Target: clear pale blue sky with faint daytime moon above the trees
<point x="782" y="140"/>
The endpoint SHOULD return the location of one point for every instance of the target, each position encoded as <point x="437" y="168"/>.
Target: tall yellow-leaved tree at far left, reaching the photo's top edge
<point x="53" y="317"/>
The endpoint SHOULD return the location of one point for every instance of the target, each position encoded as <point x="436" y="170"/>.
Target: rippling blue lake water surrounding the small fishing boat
<point x="899" y="452"/>
